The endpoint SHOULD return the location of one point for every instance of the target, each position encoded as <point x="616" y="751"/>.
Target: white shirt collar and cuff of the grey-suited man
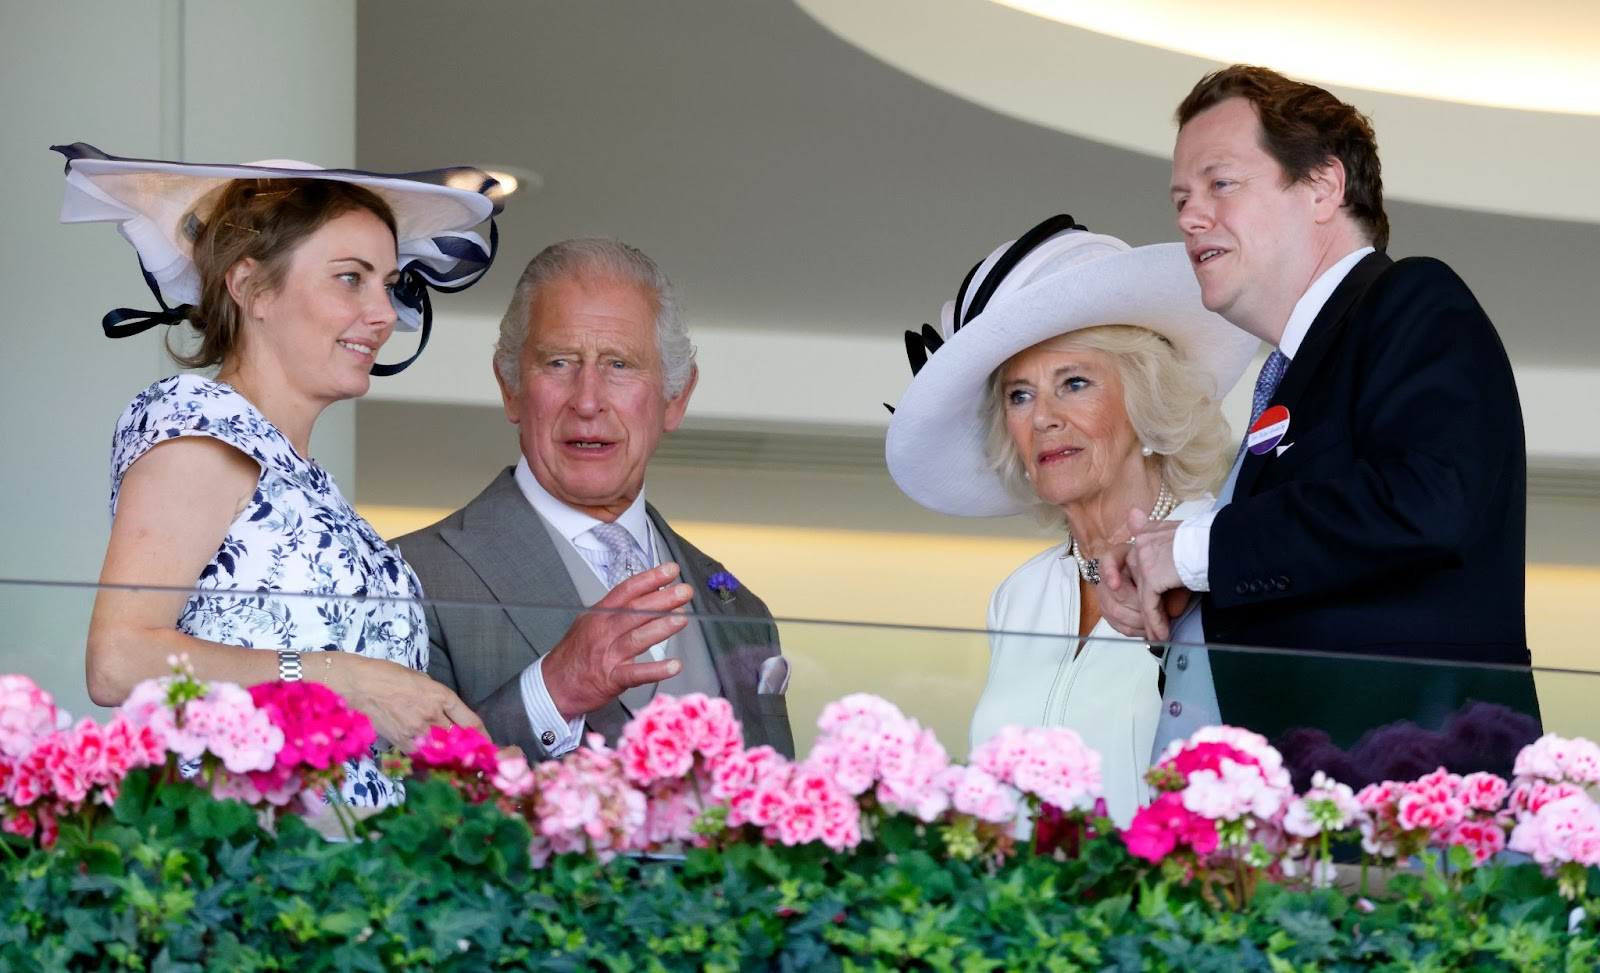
<point x="574" y="526"/>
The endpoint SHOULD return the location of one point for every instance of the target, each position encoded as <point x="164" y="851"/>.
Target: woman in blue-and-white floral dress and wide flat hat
<point x="294" y="279"/>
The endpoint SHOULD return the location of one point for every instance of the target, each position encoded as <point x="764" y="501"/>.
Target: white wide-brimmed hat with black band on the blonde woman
<point x="1055" y="279"/>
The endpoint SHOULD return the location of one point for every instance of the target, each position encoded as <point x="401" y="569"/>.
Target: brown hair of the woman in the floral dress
<point x="262" y="220"/>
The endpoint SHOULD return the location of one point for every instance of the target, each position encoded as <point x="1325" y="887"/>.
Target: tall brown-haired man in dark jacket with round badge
<point x="1378" y="507"/>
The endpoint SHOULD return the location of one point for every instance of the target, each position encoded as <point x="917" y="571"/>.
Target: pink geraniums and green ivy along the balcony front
<point x="169" y="876"/>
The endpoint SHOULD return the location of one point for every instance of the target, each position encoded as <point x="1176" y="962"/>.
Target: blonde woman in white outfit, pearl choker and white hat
<point x="1078" y="378"/>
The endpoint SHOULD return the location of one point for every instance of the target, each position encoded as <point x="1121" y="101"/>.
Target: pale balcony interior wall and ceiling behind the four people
<point x="810" y="199"/>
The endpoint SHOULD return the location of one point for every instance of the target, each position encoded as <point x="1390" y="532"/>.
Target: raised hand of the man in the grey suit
<point x="596" y="662"/>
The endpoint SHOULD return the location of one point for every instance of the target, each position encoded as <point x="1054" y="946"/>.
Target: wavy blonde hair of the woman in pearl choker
<point x="1170" y="404"/>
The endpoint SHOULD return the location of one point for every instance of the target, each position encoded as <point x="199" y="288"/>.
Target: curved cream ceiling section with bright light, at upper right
<point x="1089" y="82"/>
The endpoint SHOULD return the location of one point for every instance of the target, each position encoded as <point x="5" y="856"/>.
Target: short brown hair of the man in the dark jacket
<point x="1303" y="126"/>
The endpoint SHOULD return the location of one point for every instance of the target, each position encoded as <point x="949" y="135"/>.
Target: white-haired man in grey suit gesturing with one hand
<point x="594" y="367"/>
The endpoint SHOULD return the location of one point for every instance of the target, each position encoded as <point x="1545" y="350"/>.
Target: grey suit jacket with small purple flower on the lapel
<point x="497" y="551"/>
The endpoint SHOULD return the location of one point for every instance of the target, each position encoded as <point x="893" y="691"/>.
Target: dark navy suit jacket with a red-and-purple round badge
<point x="1393" y="526"/>
